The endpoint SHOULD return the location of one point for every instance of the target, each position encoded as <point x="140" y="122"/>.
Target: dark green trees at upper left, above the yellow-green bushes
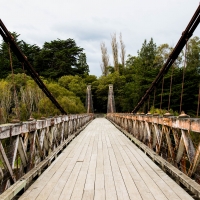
<point x="53" y="60"/>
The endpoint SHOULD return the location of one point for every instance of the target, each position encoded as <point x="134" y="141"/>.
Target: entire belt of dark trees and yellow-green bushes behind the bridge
<point x="64" y="70"/>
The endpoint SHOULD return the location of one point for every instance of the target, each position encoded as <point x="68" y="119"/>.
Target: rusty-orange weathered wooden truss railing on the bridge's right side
<point x="175" y="139"/>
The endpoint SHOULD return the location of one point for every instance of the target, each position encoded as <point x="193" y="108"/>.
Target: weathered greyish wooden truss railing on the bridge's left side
<point x="34" y="145"/>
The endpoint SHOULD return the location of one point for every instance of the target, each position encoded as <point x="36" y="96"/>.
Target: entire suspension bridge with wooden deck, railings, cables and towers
<point x="83" y="156"/>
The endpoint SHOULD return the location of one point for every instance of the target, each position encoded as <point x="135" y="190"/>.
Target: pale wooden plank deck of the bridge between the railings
<point x="101" y="163"/>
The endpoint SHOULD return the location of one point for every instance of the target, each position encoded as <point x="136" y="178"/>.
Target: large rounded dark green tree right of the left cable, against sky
<point x="61" y="57"/>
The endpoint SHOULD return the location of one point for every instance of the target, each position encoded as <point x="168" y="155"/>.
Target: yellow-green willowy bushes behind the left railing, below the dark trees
<point x="21" y="98"/>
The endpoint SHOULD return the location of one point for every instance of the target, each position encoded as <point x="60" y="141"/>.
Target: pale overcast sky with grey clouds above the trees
<point x="90" y="22"/>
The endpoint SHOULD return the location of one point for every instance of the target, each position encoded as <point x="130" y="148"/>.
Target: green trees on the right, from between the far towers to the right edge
<point x="132" y="81"/>
